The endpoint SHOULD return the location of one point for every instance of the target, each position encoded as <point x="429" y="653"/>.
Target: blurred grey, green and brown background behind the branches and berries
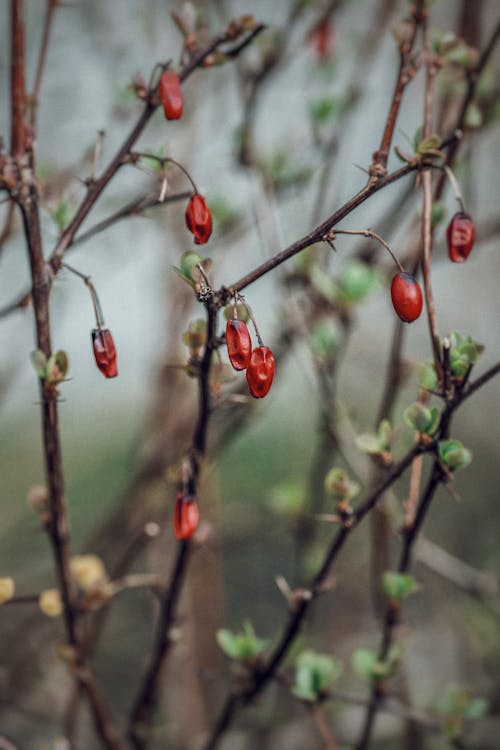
<point x="273" y="159"/>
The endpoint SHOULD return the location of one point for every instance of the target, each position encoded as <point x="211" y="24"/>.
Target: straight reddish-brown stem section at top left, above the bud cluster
<point x="17" y="90"/>
